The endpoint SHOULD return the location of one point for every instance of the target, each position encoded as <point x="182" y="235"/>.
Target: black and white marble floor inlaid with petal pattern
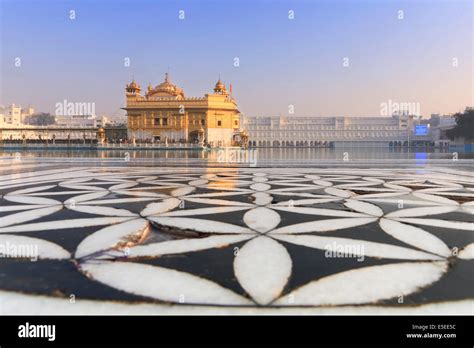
<point x="174" y="240"/>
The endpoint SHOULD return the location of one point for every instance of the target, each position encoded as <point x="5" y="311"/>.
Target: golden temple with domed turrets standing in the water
<point x="164" y="114"/>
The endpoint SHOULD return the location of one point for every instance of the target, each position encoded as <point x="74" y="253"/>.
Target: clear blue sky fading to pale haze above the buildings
<point x="283" y="61"/>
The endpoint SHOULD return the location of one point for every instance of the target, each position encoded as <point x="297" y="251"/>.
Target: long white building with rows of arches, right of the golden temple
<point x="289" y="131"/>
